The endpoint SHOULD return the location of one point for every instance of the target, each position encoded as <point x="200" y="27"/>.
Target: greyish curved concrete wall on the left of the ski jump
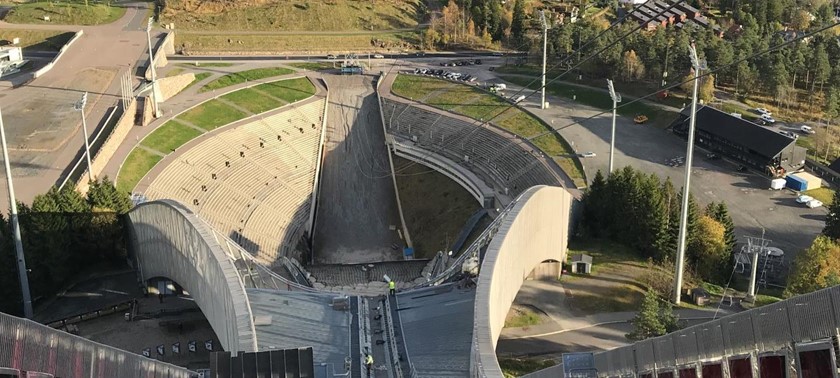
<point x="169" y="241"/>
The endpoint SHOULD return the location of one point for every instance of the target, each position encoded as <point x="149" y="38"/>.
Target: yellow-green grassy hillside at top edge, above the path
<point x="294" y="15"/>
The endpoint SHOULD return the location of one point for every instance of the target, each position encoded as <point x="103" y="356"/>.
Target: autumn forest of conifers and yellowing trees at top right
<point x="804" y="75"/>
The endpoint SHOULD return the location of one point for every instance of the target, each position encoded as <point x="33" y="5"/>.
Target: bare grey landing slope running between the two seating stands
<point x="357" y="218"/>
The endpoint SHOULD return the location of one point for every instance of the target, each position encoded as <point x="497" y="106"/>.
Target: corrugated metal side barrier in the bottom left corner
<point x="26" y="346"/>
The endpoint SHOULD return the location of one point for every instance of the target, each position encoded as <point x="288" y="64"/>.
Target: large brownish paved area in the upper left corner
<point x="43" y="129"/>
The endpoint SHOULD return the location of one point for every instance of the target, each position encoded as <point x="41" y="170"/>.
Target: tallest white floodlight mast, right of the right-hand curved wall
<point x="698" y="66"/>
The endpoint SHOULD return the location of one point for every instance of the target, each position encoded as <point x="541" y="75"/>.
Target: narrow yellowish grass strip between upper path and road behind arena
<point x="300" y="43"/>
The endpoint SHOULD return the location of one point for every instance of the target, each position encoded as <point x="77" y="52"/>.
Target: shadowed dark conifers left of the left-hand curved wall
<point x="64" y="234"/>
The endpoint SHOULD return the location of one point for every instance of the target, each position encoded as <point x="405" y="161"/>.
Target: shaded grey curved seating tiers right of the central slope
<point x="505" y="163"/>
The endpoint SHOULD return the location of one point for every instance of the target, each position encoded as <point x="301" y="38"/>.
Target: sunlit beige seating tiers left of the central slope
<point x="253" y="180"/>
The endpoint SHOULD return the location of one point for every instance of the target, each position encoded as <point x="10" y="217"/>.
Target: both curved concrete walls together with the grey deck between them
<point x="253" y="309"/>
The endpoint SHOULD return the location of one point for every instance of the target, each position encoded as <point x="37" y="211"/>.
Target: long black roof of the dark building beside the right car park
<point x="763" y="141"/>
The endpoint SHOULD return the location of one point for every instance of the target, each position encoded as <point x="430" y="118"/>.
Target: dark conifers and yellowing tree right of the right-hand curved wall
<point x="643" y="212"/>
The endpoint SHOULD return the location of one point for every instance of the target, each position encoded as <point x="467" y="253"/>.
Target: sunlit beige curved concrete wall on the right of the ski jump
<point x="537" y="229"/>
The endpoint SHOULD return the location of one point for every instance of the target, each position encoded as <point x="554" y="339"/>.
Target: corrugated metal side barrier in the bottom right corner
<point x="799" y="334"/>
